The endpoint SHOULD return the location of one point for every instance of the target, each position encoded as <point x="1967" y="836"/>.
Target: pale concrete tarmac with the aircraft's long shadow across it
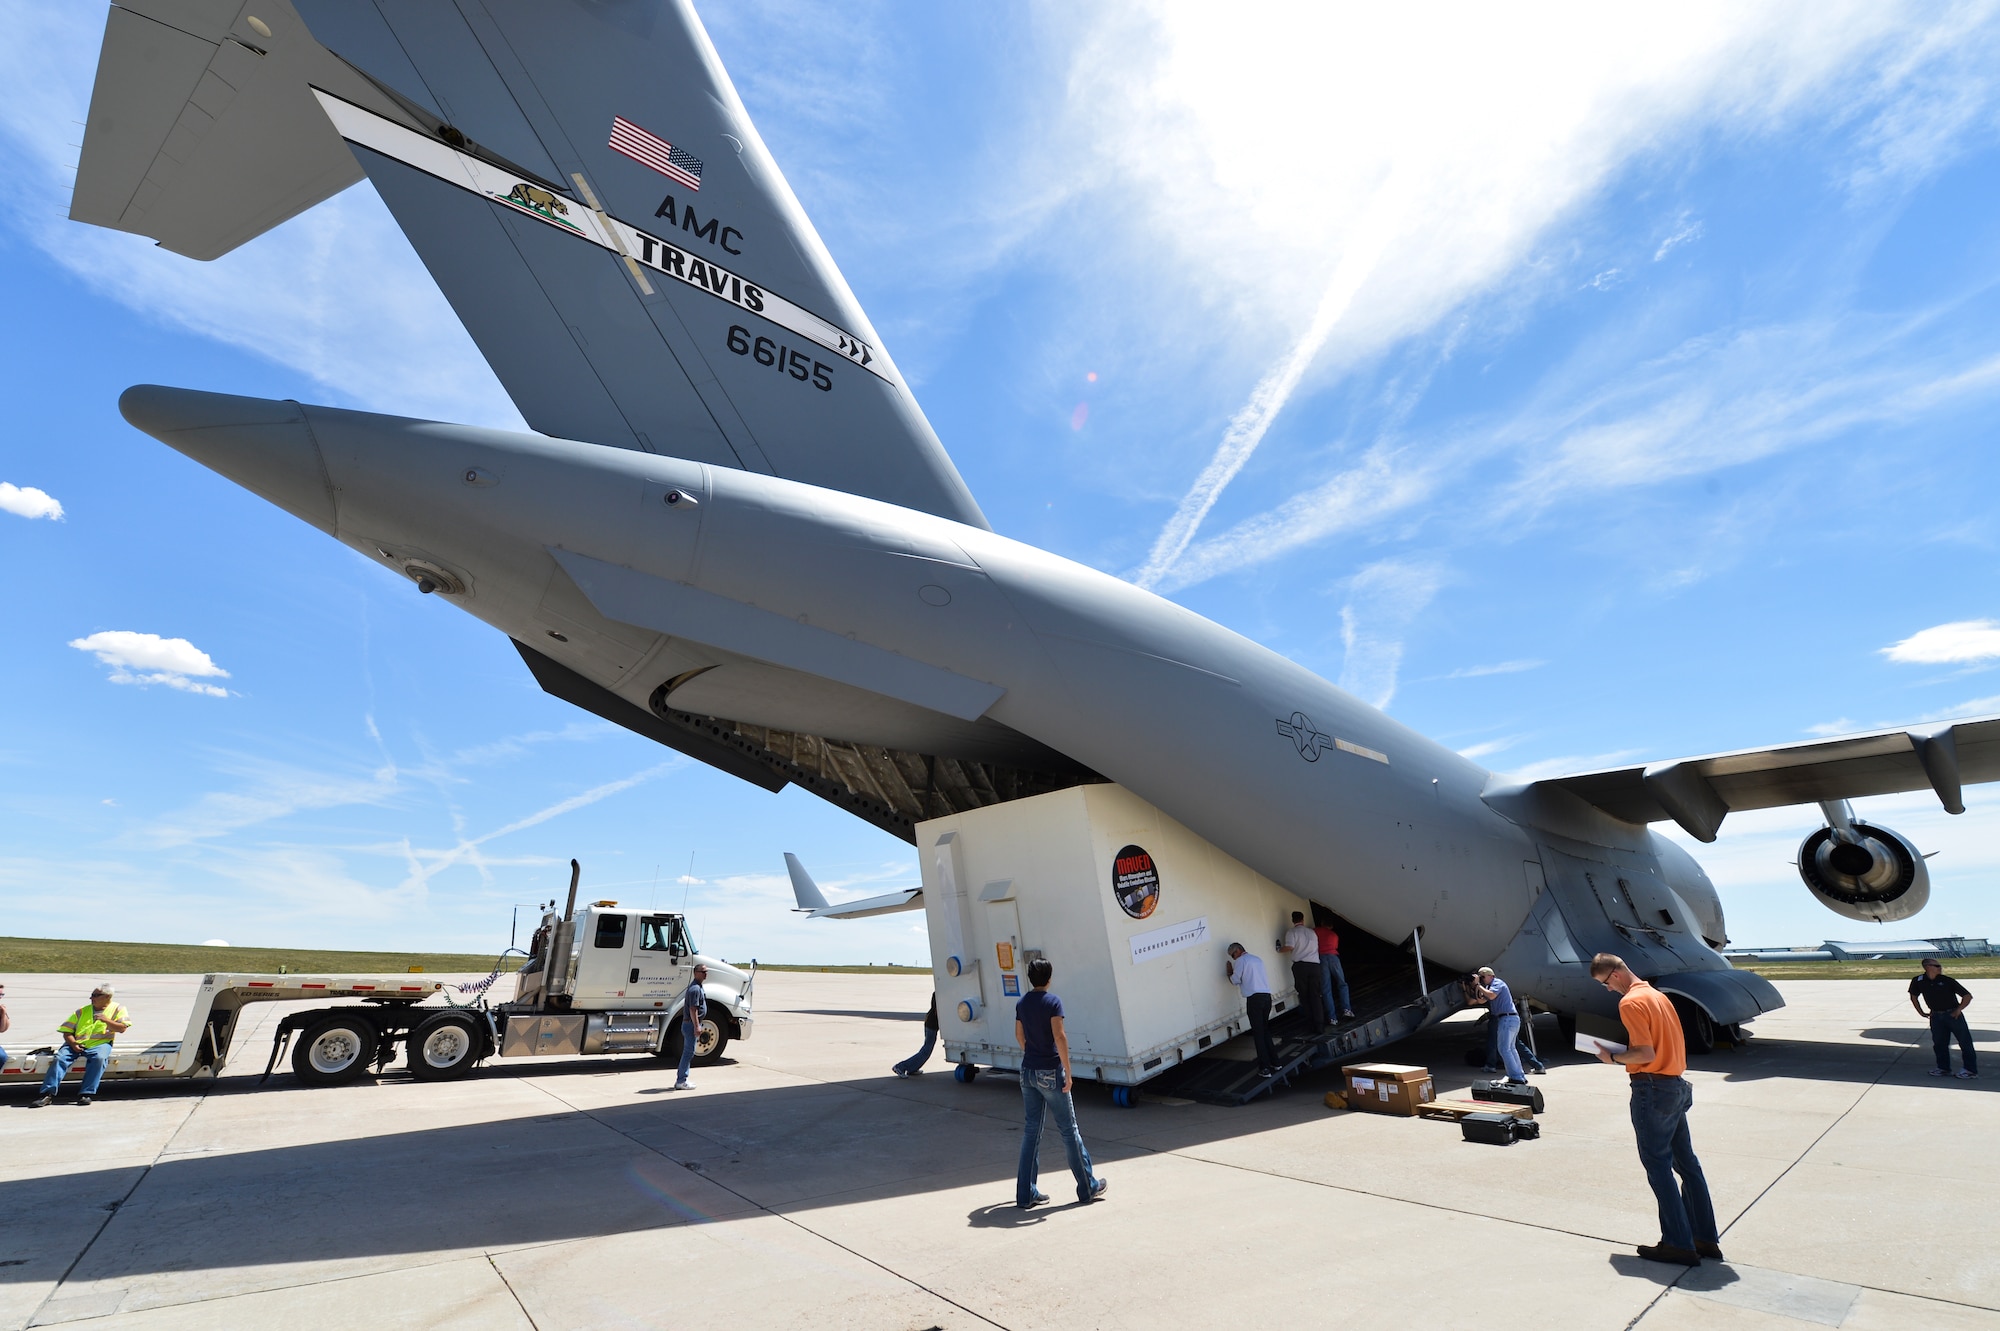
<point x="803" y="1186"/>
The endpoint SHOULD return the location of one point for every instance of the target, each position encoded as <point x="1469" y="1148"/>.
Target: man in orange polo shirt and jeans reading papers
<point x="1661" y="1098"/>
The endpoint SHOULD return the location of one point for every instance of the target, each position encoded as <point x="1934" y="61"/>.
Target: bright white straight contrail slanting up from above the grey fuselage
<point x="1249" y="427"/>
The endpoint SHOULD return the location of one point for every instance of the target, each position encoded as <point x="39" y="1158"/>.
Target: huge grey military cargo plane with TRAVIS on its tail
<point x="737" y="535"/>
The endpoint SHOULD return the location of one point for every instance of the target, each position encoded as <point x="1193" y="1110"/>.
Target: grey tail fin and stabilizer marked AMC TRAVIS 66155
<point x="581" y="181"/>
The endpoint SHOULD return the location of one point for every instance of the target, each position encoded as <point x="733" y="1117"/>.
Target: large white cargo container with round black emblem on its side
<point x="1131" y="908"/>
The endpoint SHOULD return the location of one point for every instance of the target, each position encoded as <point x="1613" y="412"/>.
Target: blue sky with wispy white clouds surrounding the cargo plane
<point x="1581" y="385"/>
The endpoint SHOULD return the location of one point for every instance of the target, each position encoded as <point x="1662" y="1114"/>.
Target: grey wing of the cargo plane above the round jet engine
<point x="1701" y="792"/>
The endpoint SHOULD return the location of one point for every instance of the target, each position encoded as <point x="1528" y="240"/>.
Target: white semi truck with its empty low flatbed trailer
<point x="603" y="980"/>
